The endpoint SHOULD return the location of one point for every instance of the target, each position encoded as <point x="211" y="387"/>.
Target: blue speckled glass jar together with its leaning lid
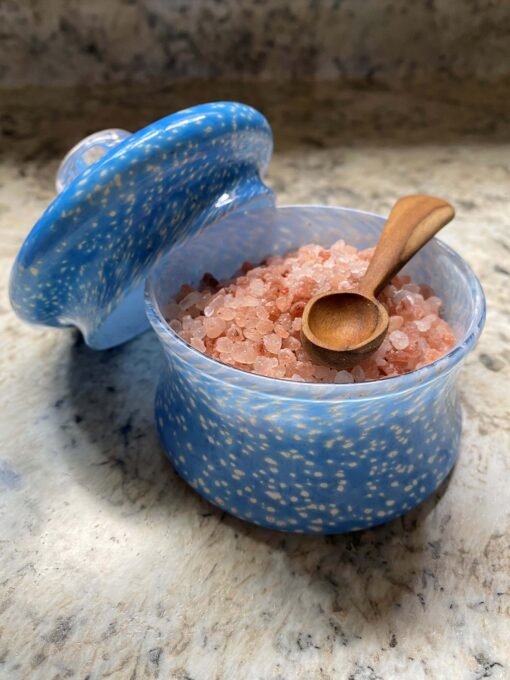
<point x="184" y="196"/>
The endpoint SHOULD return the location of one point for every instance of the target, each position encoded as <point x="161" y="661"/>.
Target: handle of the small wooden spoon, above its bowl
<point x="412" y="222"/>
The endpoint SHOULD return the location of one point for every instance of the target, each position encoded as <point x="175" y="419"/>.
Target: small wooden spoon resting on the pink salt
<point x="340" y="329"/>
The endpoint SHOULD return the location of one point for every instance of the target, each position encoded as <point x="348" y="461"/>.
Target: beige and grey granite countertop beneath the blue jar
<point x="113" y="568"/>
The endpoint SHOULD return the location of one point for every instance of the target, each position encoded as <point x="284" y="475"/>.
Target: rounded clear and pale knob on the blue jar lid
<point x="87" y="151"/>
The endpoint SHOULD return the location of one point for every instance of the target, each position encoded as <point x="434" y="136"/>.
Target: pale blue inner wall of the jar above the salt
<point x="253" y="235"/>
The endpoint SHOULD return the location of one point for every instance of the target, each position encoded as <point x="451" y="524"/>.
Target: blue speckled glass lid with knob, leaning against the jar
<point x="126" y="201"/>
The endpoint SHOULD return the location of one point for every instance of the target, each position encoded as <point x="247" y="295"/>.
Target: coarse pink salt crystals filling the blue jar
<point x="253" y="321"/>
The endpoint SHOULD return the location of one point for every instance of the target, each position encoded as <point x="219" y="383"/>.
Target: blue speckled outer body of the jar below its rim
<point x="308" y="467"/>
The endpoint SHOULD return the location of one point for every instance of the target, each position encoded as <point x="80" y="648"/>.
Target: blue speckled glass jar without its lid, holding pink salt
<point x="304" y="457"/>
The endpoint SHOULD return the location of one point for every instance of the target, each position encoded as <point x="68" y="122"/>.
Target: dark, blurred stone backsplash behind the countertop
<point x="60" y="42"/>
